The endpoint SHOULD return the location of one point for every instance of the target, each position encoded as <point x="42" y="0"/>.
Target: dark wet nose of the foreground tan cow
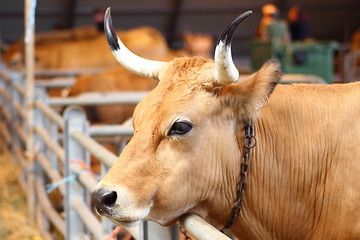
<point x="103" y="201"/>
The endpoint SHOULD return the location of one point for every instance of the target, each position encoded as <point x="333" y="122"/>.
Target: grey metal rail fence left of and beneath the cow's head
<point x="60" y="161"/>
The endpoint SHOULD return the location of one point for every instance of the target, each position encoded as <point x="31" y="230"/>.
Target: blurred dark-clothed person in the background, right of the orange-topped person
<point x="298" y="24"/>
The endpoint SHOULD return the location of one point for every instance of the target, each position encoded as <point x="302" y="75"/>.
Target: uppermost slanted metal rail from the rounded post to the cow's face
<point x="104" y="155"/>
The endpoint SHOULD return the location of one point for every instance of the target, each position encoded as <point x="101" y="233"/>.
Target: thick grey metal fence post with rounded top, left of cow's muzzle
<point x="75" y="119"/>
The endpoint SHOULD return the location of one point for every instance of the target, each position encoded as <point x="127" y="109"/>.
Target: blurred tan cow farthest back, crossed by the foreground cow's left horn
<point x="81" y="51"/>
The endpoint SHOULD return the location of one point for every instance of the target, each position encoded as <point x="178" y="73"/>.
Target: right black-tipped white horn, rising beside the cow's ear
<point x="225" y="69"/>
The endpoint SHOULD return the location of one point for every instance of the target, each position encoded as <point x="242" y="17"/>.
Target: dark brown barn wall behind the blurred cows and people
<point x="329" y="21"/>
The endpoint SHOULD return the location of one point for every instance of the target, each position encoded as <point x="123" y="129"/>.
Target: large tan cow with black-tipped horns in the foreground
<point x="187" y="149"/>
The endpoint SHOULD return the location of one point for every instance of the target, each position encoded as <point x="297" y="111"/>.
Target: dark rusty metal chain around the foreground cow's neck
<point x="249" y="143"/>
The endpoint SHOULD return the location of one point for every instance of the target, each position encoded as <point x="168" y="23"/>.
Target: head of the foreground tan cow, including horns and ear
<point x="187" y="137"/>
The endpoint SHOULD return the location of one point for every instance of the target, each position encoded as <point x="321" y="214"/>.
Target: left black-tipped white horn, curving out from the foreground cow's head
<point x="129" y="60"/>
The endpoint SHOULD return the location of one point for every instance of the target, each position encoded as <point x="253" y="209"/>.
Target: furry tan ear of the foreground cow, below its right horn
<point x="253" y="92"/>
